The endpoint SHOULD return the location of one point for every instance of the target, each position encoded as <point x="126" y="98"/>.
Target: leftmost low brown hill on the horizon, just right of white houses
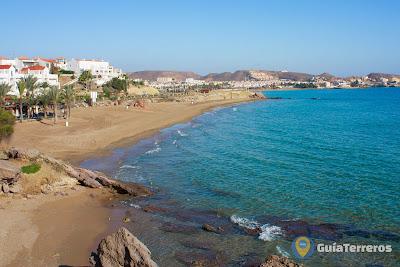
<point x="153" y="75"/>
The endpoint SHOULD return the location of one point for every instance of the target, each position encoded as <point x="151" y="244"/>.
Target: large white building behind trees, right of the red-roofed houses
<point x="101" y="70"/>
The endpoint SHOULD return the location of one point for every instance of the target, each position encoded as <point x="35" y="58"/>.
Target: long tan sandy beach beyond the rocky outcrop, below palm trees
<point x="96" y="130"/>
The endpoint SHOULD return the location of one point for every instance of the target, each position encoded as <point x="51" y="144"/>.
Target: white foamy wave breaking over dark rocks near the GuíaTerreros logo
<point x="268" y="232"/>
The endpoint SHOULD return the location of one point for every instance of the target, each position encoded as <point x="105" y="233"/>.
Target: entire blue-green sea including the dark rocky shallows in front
<point x="324" y="164"/>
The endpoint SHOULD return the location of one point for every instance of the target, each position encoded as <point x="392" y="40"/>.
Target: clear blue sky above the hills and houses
<point x="352" y="37"/>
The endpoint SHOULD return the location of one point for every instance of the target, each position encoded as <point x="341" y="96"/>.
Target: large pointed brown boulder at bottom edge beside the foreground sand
<point x="123" y="249"/>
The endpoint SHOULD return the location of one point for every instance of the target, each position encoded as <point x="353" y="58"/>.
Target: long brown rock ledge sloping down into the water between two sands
<point x="85" y="177"/>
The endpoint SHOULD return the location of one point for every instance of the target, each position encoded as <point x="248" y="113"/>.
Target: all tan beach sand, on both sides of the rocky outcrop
<point x="52" y="230"/>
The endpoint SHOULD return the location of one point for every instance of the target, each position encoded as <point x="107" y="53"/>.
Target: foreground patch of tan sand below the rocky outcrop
<point x="52" y="230"/>
